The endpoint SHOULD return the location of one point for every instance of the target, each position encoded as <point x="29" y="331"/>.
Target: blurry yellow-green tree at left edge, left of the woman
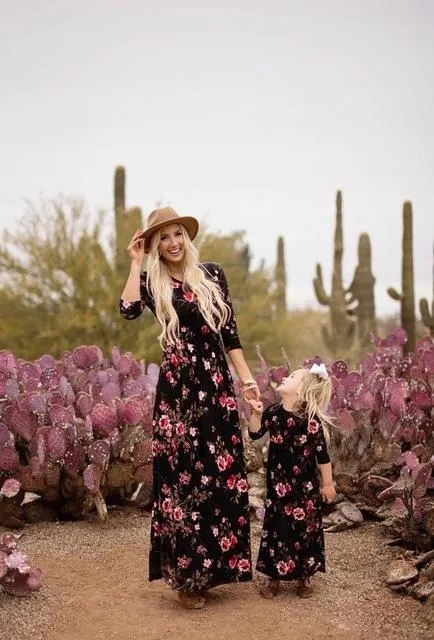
<point x="59" y="285"/>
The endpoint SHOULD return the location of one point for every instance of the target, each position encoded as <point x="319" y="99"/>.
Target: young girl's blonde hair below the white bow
<point x="314" y="395"/>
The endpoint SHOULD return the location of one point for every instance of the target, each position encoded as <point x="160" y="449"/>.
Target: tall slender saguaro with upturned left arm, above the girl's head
<point x="341" y="335"/>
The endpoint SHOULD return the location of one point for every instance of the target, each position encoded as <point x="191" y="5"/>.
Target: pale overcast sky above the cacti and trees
<point x="245" y="113"/>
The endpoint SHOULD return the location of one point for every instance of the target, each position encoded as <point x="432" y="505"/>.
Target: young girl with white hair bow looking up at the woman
<point x="292" y="542"/>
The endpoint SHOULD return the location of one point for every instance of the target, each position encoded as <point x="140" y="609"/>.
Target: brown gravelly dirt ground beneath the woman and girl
<point x="95" y="587"/>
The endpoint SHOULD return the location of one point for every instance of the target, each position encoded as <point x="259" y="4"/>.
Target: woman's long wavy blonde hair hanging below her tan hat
<point x="208" y="294"/>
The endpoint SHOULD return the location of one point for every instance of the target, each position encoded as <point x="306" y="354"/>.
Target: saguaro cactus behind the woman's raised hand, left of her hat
<point x="127" y="221"/>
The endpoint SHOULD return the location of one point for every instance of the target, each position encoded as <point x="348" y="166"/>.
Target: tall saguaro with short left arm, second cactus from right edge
<point x="406" y="297"/>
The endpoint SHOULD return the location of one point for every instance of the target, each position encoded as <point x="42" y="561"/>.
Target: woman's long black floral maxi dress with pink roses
<point x="200" y="535"/>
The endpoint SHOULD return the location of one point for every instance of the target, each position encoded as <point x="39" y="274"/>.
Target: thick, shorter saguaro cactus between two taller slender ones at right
<point x="362" y="291"/>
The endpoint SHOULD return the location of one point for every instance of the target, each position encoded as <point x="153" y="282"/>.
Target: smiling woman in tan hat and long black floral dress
<point x="200" y="520"/>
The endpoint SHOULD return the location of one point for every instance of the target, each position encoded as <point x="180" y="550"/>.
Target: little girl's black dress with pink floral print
<point x="292" y="542"/>
